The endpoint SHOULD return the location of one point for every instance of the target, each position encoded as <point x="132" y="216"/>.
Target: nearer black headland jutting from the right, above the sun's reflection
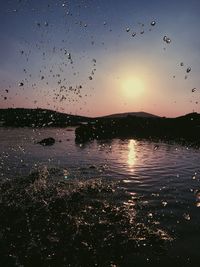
<point x="184" y="129"/>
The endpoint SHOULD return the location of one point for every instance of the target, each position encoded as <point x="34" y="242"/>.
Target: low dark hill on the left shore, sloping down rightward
<point x="20" y="117"/>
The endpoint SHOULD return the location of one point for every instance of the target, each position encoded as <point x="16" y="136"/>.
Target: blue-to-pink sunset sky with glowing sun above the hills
<point x="99" y="57"/>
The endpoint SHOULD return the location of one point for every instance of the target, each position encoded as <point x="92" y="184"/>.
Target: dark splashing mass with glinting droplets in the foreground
<point x="59" y="222"/>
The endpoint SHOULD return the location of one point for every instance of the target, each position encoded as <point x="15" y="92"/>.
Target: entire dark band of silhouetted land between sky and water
<point x="184" y="129"/>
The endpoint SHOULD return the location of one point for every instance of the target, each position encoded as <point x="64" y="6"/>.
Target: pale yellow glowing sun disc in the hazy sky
<point x="132" y="87"/>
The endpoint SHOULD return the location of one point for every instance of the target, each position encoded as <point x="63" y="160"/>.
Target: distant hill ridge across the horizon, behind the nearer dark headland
<point x="24" y="117"/>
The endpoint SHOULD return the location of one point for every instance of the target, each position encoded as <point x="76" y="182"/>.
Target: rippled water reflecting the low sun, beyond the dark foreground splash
<point x="162" y="180"/>
